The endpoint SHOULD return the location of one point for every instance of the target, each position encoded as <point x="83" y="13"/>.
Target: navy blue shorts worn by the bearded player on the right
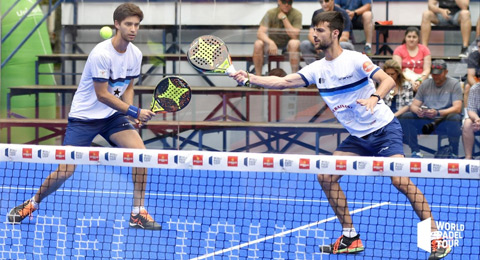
<point x="386" y="141"/>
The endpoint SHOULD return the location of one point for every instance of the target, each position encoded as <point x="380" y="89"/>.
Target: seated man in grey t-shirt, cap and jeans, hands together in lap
<point x="437" y="106"/>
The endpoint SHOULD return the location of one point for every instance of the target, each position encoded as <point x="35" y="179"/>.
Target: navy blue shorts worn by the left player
<point x="82" y="132"/>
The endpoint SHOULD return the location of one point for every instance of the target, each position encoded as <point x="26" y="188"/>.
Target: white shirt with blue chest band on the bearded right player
<point x="341" y="82"/>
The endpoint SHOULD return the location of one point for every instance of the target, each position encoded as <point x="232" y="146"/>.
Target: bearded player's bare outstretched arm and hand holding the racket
<point x="290" y="81"/>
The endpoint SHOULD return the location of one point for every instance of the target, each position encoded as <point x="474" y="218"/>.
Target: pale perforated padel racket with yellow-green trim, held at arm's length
<point x="209" y="53"/>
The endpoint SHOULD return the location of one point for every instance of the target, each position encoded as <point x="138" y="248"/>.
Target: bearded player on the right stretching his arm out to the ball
<point x="344" y="80"/>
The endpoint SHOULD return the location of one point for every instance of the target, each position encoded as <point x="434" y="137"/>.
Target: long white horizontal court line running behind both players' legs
<point x="232" y="197"/>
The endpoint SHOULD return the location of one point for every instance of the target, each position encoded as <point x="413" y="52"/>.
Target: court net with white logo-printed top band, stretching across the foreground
<point x="215" y="205"/>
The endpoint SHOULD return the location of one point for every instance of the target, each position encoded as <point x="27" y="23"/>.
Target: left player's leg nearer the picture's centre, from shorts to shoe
<point x="122" y="134"/>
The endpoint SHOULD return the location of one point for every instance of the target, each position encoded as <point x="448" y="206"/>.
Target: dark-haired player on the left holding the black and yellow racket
<point x="100" y="106"/>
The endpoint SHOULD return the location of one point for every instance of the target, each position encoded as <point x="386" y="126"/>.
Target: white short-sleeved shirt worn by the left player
<point x="105" y="64"/>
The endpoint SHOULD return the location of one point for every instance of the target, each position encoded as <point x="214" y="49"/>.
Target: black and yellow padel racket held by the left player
<point x="171" y="94"/>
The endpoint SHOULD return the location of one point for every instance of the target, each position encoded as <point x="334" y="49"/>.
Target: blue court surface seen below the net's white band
<point x="224" y="215"/>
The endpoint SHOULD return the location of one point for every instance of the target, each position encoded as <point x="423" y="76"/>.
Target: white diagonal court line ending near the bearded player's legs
<point x="285" y="232"/>
